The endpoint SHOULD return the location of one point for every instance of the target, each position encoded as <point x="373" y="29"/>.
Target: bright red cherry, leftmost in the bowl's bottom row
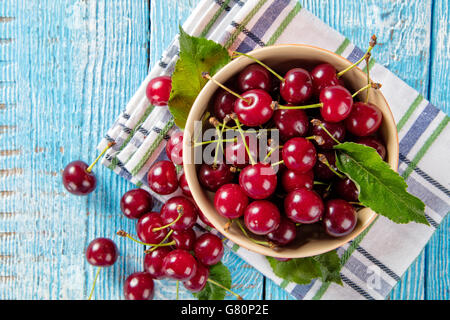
<point x="230" y="201"/>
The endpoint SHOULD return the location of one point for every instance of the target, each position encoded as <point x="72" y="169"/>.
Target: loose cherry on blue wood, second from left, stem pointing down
<point x="102" y="252"/>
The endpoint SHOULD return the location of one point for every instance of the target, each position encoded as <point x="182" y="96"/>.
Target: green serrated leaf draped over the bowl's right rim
<point x="380" y="188"/>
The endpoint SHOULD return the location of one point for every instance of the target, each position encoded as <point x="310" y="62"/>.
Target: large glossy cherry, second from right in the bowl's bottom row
<point x="303" y="206"/>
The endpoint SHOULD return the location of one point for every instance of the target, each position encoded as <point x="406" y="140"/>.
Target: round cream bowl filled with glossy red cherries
<point x="258" y="149"/>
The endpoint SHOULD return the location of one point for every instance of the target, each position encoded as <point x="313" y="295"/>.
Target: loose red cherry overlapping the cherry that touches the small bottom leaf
<point x="179" y="265"/>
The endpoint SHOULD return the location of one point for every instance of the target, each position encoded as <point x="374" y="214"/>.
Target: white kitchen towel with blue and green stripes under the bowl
<point x="374" y="261"/>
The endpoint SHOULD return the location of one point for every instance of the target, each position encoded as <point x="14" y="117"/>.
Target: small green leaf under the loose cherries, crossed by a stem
<point x="219" y="273"/>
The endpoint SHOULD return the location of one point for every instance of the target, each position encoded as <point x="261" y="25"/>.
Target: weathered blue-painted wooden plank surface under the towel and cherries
<point x="67" y="69"/>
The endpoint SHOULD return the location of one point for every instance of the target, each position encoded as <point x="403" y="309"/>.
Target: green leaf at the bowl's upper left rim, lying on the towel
<point x="197" y="55"/>
